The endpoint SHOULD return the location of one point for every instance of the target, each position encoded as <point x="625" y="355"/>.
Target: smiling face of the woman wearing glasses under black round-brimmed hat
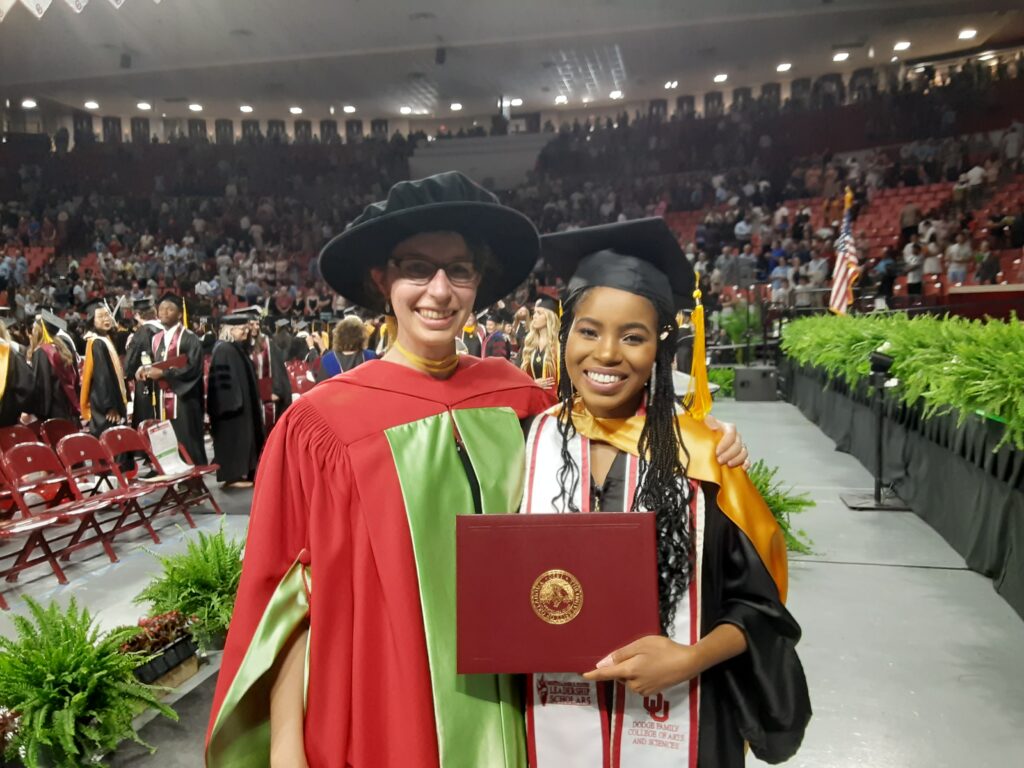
<point x="431" y="315"/>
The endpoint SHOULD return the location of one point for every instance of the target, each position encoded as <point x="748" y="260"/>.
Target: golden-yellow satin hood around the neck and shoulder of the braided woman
<point x="738" y="498"/>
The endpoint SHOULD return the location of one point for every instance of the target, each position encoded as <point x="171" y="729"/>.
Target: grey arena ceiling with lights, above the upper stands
<point x="380" y="57"/>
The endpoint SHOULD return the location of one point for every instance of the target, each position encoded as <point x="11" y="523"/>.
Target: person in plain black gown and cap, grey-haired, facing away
<point x="234" y="406"/>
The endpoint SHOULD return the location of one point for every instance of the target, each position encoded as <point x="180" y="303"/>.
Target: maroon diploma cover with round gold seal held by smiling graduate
<point x="552" y="592"/>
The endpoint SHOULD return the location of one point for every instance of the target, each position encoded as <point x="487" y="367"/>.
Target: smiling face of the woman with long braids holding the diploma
<point x="611" y="351"/>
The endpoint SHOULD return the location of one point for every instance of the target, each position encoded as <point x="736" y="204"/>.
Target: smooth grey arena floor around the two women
<point x="913" y="661"/>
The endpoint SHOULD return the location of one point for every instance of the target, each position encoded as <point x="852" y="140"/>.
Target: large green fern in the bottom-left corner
<point x="74" y="692"/>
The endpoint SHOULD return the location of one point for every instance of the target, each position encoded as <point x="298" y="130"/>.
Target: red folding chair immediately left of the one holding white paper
<point x="96" y="475"/>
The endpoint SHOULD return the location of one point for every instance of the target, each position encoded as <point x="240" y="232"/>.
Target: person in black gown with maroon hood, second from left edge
<point x="55" y="375"/>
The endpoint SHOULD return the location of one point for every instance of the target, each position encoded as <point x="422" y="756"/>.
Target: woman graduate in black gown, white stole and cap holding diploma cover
<point x="724" y="672"/>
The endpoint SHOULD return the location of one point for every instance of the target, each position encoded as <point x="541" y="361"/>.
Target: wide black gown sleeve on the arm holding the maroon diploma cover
<point x="766" y="686"/>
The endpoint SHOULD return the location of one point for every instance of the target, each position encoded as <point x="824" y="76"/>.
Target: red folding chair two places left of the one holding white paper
<point x="35" y="474"/>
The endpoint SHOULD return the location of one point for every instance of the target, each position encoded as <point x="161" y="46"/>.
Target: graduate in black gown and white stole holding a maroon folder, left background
<point x="180" y="397"/>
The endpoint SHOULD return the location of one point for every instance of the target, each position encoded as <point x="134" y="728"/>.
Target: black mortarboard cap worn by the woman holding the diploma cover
<point x="643" y="258"/>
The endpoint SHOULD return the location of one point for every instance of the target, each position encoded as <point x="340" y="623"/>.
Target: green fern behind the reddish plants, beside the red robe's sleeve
<point x="200" y="582"/>
